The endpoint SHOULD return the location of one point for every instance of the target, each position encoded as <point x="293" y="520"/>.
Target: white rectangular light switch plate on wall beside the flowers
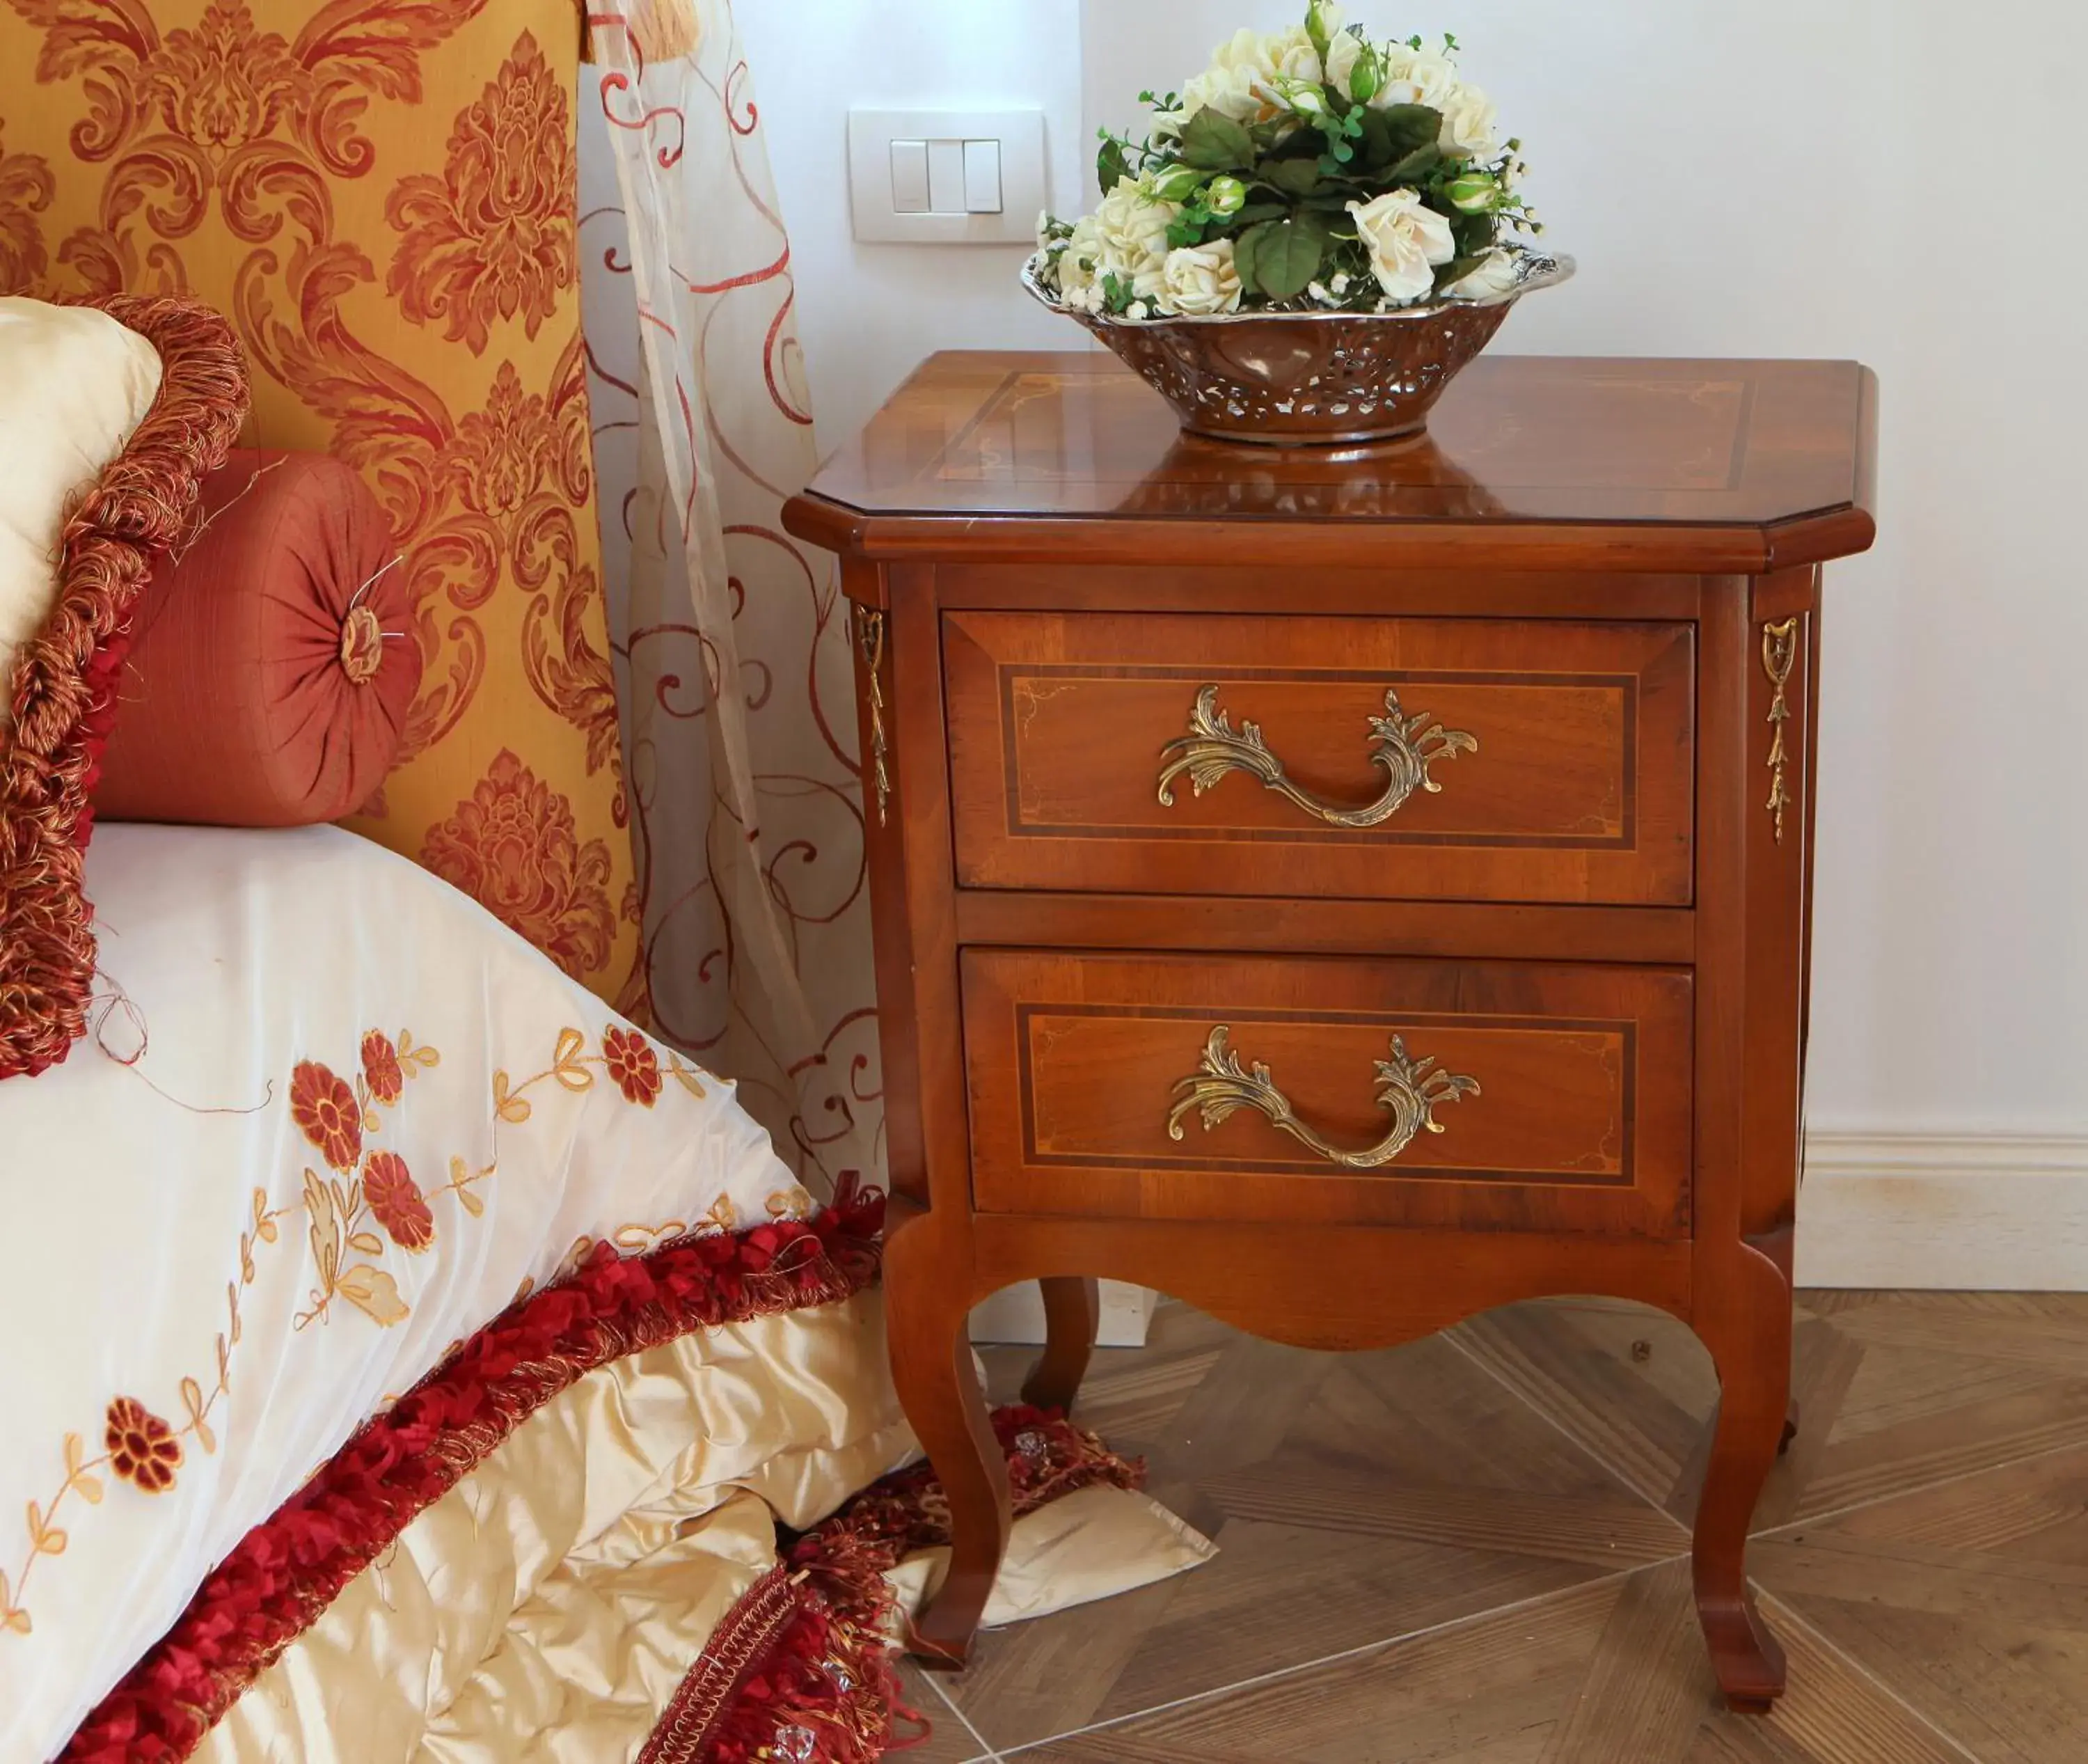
<point x="880" y="220"/>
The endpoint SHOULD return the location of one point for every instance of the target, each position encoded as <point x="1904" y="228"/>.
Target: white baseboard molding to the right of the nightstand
<point x="1978" y="1212"/>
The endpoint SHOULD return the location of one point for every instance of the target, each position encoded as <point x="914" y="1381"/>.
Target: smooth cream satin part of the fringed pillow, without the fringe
<point x="74" y="387"/>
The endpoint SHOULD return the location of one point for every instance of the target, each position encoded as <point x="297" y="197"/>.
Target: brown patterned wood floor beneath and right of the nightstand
<point x="1473" y="1552"/>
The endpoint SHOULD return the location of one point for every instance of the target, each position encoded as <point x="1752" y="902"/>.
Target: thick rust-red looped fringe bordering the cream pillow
<point x="64" y="688"/>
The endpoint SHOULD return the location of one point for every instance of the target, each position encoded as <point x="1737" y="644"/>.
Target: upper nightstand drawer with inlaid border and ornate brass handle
<point x="1375" y="759"/>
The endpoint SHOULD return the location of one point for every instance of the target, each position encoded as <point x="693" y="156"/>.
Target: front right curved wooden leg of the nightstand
<point x="1751" y="1341"/>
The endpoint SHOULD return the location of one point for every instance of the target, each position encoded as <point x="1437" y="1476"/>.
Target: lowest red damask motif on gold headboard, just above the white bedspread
<point x="515" y="847"/>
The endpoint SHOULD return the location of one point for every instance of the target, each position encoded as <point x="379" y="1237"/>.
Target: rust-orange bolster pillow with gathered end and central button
<point x="275" y="663"/>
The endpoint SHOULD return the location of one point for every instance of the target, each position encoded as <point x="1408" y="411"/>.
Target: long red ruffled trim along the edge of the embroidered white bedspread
<point x="287" y="1571"/>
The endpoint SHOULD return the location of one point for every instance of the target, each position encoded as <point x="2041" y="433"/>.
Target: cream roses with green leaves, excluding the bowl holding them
<point x="1306" y="170"/>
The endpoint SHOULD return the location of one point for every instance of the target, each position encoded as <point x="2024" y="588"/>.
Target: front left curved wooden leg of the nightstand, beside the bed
<point x="939" y="1385"/>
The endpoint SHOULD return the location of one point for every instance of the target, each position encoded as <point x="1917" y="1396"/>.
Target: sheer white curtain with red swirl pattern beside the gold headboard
<point x="732" y="640"/>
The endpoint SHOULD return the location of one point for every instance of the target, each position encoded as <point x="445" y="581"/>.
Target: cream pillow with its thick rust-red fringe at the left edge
<point x="103" y="454"/>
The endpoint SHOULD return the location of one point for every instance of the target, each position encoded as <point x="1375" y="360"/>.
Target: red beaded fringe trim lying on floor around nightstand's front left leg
<point x="803" y="1667"/>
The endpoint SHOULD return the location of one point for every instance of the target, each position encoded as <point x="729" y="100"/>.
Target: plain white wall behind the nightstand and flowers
<point x="1868" y="178"/>
